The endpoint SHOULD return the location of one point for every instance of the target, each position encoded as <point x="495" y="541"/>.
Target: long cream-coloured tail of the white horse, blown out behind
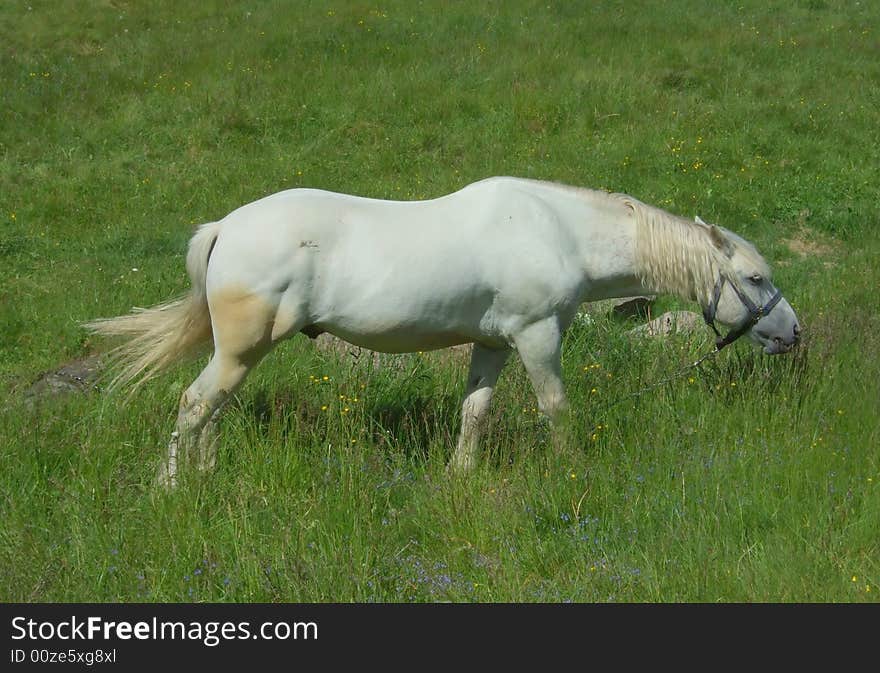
<point x="157" y="337"/>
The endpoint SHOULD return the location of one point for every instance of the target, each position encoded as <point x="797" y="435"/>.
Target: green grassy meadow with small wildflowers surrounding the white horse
<point x="755" y="479"/>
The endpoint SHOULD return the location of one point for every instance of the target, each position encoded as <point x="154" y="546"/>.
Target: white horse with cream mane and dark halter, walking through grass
<point x="503" y="263"/>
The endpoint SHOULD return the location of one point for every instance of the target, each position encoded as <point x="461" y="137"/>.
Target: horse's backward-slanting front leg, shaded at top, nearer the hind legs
<point x="486" y="365"/>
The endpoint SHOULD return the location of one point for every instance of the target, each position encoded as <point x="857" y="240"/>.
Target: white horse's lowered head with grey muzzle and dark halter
<point x="745" y="299"/>
